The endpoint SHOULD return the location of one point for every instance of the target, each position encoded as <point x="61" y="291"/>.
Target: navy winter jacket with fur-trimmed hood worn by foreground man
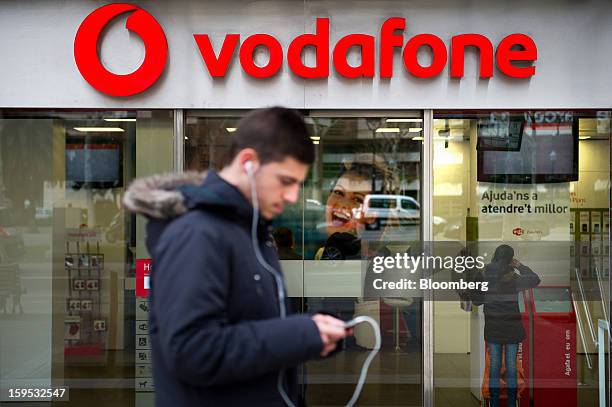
<point x="216" y="336"/>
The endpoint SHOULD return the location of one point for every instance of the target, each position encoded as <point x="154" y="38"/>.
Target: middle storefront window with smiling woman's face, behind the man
<point x="362" y="196"/>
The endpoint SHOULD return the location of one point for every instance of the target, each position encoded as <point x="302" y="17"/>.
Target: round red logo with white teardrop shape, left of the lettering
<point x="88" y="61"/>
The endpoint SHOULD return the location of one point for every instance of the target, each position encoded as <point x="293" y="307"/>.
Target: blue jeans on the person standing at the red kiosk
<point x="495" y="355"/>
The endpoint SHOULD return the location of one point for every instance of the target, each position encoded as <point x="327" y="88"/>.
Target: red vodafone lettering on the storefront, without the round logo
<point x="391" y="37"/>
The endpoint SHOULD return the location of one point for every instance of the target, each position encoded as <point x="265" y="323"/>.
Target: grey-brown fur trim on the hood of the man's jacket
<point x="160" y="196"/>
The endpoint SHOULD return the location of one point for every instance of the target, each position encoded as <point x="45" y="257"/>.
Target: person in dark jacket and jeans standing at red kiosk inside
<point x="503" y="326"/>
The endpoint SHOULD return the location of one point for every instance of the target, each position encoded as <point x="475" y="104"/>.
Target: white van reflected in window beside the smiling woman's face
<point x="395" y="210"/>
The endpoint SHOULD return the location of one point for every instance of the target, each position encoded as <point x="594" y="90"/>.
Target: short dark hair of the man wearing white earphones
<point x="275" y="133"/>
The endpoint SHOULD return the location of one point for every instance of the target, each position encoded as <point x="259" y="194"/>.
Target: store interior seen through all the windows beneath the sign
<point x="68" y="249"/>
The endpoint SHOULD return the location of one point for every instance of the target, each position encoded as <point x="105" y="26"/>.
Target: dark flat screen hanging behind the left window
<point x="94" y="164"/>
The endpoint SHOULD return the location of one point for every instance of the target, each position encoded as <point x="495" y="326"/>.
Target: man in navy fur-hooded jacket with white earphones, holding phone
<point x="220" y="329"/>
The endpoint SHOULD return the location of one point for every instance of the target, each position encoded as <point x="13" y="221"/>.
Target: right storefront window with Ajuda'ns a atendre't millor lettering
<point x="538" y="182"/>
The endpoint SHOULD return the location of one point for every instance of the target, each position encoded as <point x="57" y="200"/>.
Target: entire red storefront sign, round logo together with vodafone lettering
<point x="513" y="48"/>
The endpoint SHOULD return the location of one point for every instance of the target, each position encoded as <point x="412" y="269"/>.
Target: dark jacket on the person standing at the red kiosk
<point x="502" y="315"/>
